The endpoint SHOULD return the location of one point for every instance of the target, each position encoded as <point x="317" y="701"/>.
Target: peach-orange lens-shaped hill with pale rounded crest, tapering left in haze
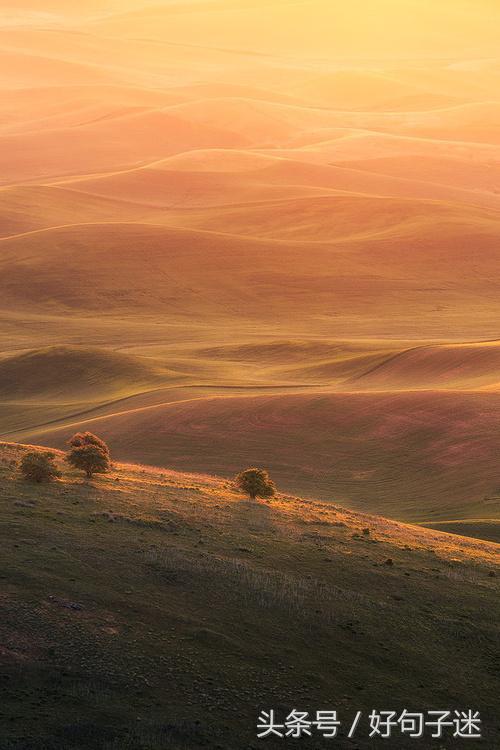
<point x="219" y="177"/>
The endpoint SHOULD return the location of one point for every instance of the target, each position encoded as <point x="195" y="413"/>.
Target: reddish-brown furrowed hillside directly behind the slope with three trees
<point x="415" y="456"/>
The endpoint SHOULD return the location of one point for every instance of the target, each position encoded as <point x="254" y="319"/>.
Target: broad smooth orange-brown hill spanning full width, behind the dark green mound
<point x="330" y="285"/>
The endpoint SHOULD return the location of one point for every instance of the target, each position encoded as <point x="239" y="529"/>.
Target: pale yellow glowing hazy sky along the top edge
<point x="317" y="28"/>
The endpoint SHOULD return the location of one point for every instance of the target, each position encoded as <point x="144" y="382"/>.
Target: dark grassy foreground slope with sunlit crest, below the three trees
<point x="150" y="610"/>
